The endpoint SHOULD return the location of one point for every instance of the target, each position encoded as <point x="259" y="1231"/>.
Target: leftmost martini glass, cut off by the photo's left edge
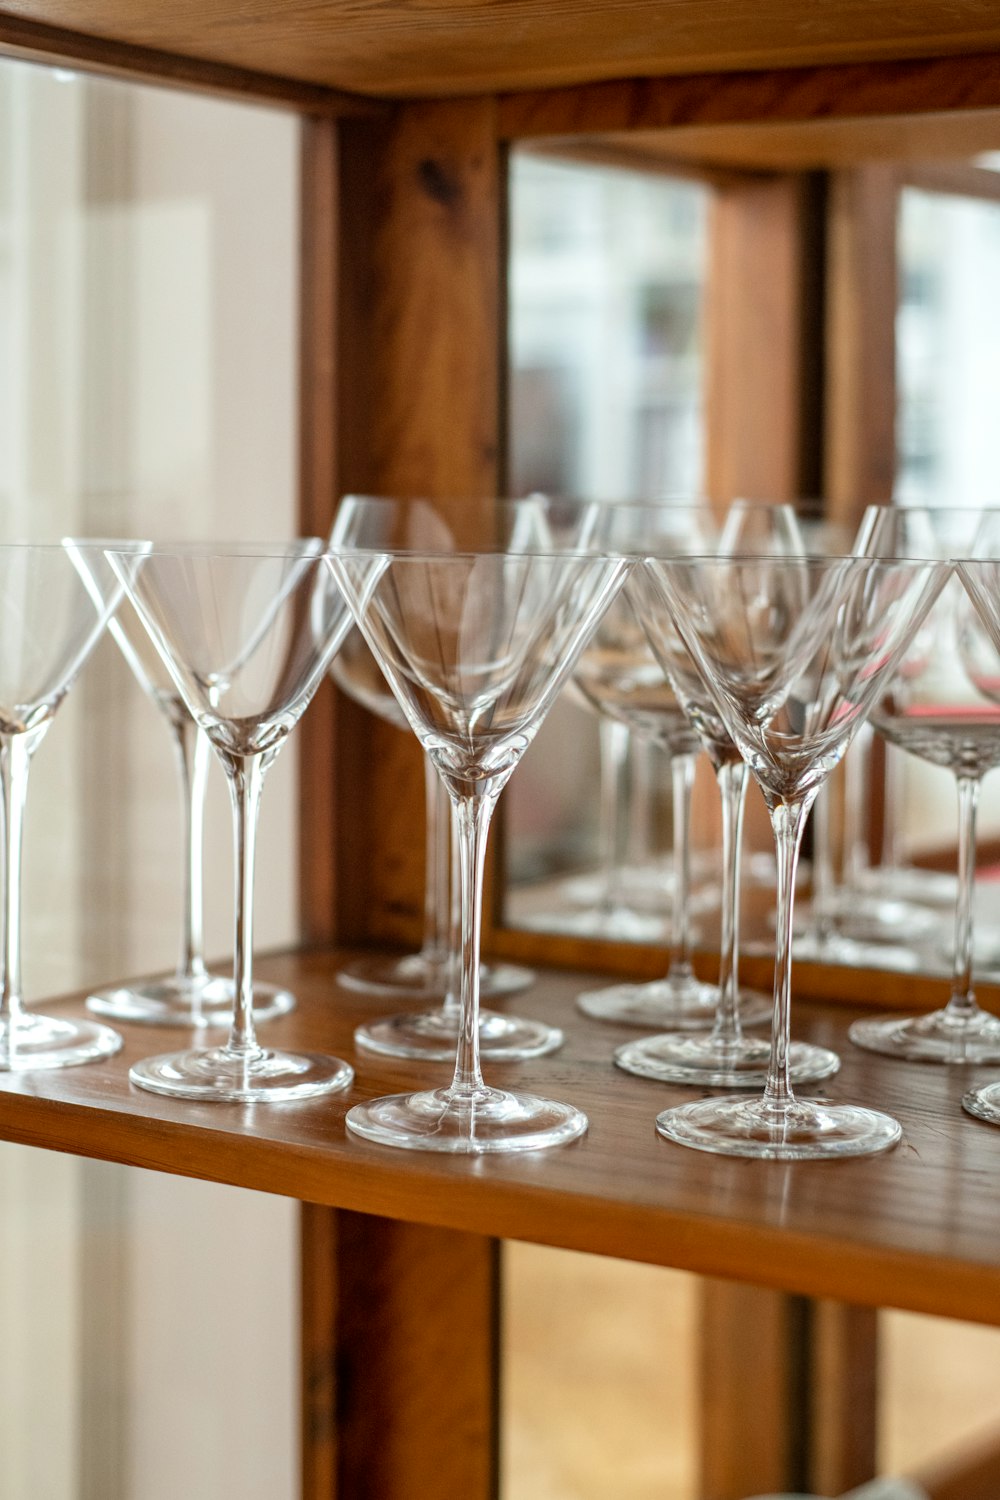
<point x="55" y="604"/>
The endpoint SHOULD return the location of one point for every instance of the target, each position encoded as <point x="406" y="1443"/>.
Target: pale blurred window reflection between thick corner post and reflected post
<point x="606" y="391"/>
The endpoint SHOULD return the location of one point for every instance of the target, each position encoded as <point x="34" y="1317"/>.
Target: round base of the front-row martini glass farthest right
<point x="804" y="1132"/>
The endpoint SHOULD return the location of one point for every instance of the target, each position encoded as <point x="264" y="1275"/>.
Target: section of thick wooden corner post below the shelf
<point x="400" y="1360"/>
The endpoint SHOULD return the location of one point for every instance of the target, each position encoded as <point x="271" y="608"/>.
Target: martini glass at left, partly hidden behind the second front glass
<point x="193" y="995"/>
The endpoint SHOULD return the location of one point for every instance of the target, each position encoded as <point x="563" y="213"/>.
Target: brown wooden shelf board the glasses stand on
<point x="917" y="1228"/>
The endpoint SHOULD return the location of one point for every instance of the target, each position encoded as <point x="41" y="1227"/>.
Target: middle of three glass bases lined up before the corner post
<point x="434" y="1037"/>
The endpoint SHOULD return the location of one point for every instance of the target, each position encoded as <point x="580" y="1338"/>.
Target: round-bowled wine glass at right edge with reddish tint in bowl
<point x="935" y="710"/>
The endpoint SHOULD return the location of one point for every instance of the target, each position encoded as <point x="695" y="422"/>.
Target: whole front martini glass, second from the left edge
<point x="247" y="637"/>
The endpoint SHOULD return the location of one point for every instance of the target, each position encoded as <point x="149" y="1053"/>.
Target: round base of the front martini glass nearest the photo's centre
<point x="488" y="1121"/>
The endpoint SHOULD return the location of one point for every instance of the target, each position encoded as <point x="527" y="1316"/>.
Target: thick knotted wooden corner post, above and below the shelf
<point x="401" y="397"/>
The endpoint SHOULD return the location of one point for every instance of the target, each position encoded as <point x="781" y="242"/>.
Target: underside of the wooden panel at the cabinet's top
<point x="451" y="47"/>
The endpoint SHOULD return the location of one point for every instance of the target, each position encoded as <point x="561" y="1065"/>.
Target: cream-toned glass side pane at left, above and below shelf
<point x="148" y="388"/>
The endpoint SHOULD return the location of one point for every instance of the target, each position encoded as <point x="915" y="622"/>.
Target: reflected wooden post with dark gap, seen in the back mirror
<point x="788" y="1387"/>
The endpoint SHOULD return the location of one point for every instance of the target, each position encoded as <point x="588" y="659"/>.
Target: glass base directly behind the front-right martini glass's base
<point x="677" y="1058"/>
